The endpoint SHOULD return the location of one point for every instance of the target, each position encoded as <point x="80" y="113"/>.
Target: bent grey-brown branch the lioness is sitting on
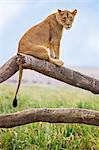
<point x="60" y="73"/>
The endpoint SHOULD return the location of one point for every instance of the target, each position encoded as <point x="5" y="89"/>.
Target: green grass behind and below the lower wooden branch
<point x="45" y="136"/>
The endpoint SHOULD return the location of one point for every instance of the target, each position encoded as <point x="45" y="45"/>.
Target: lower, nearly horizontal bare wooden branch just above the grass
<point x="81" y="116"/>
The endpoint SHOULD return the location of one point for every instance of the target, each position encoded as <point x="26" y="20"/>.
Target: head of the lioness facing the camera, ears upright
<point x="65" y="18"/>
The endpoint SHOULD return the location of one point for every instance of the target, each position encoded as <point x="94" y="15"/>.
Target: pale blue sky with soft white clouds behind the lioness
<point x="79" y="45"/>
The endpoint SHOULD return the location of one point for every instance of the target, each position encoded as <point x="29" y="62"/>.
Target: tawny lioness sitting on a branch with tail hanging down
<point x="43" y="40"/>
